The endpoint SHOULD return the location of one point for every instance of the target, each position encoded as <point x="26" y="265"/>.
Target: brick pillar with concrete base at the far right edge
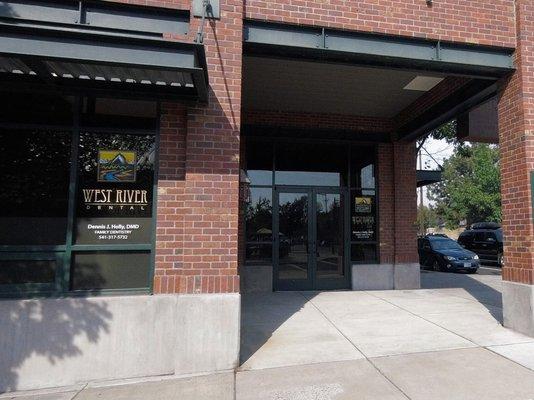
<point x="516" y="138"/>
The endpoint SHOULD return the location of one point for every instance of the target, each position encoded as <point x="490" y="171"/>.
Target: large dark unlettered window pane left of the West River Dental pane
<point x="35" y="168"/>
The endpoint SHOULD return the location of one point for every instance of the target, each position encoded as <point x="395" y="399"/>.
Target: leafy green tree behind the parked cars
<point x="470" y="186"/>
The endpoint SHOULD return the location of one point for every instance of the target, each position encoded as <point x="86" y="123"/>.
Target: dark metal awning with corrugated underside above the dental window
<point x="73" y="59"/>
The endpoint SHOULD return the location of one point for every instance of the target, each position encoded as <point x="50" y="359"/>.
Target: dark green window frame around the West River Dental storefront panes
<point x="62" y="253"/>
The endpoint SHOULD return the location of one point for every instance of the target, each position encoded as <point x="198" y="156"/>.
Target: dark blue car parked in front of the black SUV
<point x="444" y="254"/>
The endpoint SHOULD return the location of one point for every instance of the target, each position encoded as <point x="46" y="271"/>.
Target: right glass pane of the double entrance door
<point x="329" y="214"/>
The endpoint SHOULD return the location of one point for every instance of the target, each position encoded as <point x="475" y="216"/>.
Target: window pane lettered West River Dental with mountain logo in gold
<point x="115" y="188"/>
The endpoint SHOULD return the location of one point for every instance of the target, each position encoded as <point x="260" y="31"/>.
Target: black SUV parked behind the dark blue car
<point x="485" y="240"/>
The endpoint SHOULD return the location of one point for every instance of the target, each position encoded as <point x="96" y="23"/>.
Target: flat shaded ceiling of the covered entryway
<point x="278" y="84"/>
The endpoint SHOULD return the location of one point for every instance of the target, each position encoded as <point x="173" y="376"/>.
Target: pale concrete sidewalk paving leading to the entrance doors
<point x="443" y="342"/>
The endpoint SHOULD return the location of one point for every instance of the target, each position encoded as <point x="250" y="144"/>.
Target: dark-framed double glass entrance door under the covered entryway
<point x="310" y="251"/>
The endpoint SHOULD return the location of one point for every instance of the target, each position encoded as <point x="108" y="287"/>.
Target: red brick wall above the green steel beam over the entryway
<point x="488" y="22"/>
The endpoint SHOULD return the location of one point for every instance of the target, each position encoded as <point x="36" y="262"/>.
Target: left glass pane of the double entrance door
<point x="293" y="236"/>
